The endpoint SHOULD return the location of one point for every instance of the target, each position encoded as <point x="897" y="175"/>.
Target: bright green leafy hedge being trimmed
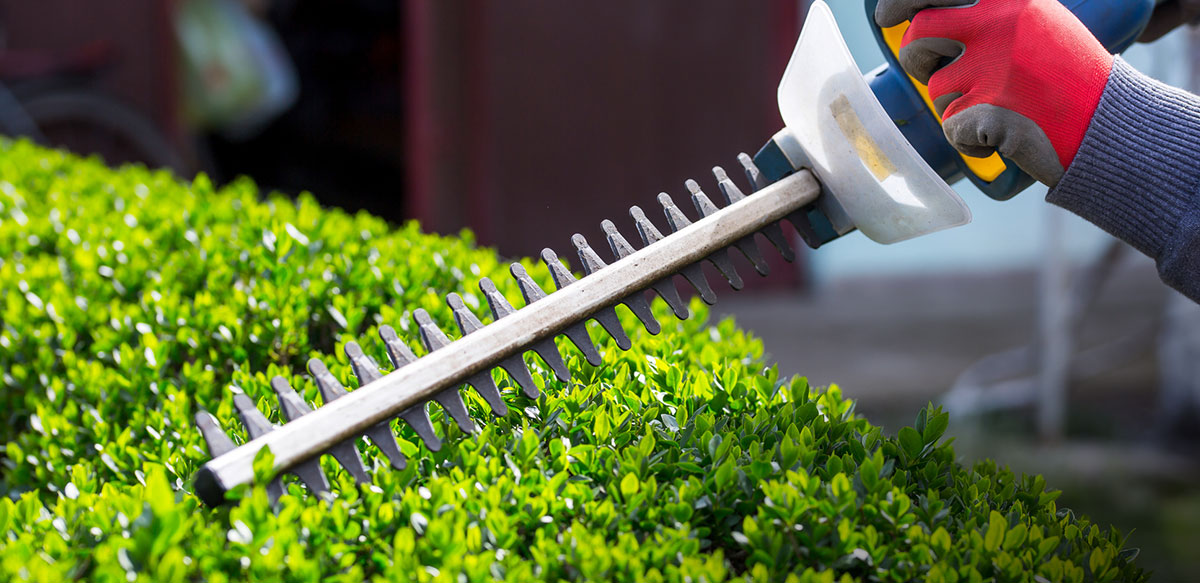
<point x="132" y="300"/>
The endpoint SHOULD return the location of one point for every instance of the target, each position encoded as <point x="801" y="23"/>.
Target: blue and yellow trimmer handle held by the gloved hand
<point x="1115" y="23"/>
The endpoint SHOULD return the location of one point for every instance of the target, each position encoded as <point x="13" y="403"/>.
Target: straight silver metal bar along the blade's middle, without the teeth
<point x="380" y="401"/>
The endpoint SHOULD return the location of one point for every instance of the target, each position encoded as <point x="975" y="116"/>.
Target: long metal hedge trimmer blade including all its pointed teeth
<point x="336" y="427"/>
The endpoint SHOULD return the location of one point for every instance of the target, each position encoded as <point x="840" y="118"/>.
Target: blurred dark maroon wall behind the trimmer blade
<point x="531" y="121"/>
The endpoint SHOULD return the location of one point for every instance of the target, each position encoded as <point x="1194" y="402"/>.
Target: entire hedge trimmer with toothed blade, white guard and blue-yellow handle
<point x="844" y="163"/>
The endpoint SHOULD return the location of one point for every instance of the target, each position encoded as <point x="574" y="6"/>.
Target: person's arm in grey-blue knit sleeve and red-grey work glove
<point x="1027" y="80"/>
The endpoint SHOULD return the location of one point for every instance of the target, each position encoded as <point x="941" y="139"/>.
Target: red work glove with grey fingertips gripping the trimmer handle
<point x="1023" y="78"/>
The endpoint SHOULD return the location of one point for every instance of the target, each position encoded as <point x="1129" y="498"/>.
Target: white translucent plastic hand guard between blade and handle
<point x="840" y="130"/>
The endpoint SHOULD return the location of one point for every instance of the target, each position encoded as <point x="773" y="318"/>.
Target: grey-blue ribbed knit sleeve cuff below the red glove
<point x="1137" y="172"/>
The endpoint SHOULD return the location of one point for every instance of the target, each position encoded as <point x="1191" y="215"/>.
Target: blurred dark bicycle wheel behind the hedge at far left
<point x="88" y="122"/>
